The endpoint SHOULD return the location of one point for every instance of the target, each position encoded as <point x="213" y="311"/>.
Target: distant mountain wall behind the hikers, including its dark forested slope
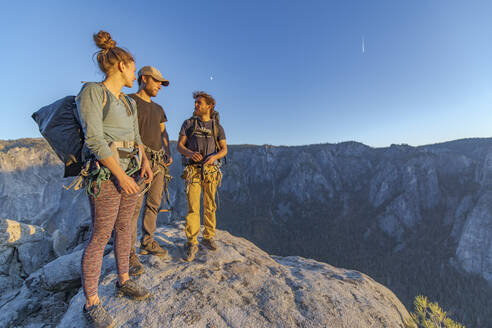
<point x="393" y="212"/>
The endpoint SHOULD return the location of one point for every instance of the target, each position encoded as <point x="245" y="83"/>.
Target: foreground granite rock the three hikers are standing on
<point x="237" y="286"/>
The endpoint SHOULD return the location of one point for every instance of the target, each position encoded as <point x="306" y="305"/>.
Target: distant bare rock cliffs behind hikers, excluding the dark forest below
<point x="290" y="189"/>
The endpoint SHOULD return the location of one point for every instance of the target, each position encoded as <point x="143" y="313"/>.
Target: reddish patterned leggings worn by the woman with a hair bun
<point x="112" y="209"/>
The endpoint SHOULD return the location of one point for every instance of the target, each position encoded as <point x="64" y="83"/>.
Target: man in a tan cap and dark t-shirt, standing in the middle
<point x="151" y="123"/>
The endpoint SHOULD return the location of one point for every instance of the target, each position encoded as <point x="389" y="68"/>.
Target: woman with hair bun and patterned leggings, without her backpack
<point x="110" y="125"/>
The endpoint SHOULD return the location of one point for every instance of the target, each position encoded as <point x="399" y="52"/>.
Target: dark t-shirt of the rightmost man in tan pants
<point x="202" y="140"/>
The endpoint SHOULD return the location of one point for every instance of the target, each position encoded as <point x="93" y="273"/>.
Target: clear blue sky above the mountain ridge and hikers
<point x="282" y="72"/>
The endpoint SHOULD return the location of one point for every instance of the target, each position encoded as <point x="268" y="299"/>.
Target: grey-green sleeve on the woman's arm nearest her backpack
<point x="90" y="106"/>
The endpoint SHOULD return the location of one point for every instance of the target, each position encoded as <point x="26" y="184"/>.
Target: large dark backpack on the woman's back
<point x="59" y="123"/>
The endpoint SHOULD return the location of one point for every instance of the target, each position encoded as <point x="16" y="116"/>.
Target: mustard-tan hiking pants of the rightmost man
<point x="194" y="186"/>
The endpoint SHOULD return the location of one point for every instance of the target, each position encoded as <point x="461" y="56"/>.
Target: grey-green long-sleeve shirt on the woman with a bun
<point x="117" y="126"/>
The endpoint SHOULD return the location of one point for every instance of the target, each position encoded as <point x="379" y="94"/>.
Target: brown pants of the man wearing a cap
<point x="153" y="198"/>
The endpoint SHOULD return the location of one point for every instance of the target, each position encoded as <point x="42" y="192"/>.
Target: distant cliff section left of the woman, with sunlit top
<point x="31" y="189"/>
